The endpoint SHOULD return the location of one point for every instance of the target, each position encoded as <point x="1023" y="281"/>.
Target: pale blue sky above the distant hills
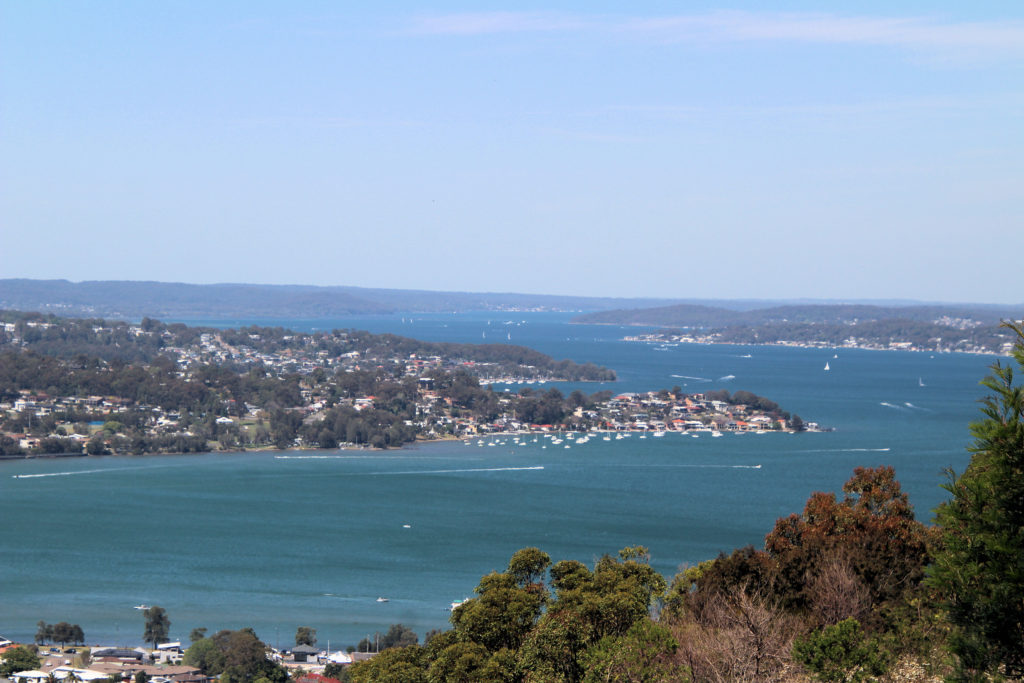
<point x="678" y="150"/>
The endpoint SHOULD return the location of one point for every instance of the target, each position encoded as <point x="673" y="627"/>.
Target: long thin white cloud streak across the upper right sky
<point x="920" y="33"/>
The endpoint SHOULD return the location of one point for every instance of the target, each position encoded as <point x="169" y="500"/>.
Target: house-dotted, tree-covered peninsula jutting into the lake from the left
<point x="95" y="388"/>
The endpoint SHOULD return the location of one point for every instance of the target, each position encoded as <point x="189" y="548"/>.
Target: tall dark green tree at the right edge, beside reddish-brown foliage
<point x="977" y="568"/>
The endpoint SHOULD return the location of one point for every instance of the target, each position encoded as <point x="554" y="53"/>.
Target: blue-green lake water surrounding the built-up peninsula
<point x="276" y="541"/>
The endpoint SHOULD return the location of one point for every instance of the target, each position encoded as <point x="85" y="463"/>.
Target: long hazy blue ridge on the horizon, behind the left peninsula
<point x="134" y="301"/>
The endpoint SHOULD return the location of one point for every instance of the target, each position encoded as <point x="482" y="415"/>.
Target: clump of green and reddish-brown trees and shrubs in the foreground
<point x="833" y="591"/>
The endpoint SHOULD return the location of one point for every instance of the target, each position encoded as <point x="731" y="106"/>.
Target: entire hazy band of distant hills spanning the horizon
<point x="135" y="301"/>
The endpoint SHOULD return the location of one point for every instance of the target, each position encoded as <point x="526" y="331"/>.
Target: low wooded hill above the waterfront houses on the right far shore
<point x="699" y="317"/>
